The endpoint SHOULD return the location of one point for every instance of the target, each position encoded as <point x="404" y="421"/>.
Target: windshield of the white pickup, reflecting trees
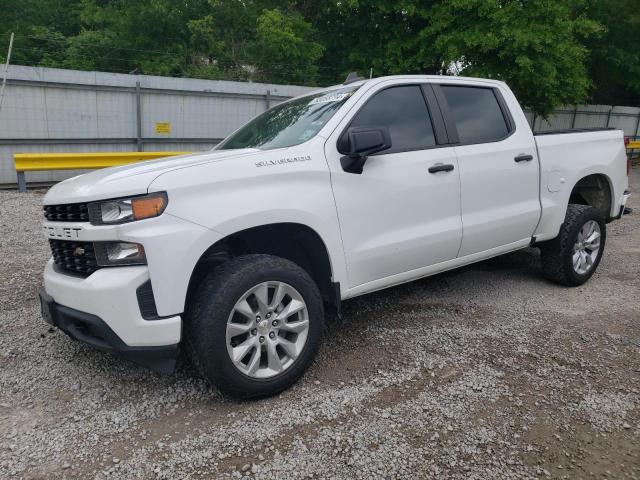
<point x="289" y="123"/>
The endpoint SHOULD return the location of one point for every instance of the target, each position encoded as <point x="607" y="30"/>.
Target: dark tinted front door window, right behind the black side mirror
<point x="404" y="111"/>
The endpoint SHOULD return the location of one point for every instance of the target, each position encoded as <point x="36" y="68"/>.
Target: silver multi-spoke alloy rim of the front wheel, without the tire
<point x="267" y="329"/>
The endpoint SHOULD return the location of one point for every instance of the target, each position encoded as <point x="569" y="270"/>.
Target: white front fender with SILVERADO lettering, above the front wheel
<point x="290" y="185"/>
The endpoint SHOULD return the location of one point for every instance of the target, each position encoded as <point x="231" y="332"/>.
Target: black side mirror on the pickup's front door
<point x="358" y="143"/>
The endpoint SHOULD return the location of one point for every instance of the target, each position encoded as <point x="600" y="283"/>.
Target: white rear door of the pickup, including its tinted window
<point x="499" y="168"/>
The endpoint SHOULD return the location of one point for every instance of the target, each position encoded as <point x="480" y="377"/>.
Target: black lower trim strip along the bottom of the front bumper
<point x="92" y="330"/>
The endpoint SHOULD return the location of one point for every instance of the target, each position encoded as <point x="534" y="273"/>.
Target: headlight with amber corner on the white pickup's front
<point x="123" y="210"/>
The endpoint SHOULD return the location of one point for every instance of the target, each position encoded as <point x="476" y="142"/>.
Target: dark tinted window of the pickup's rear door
<point x="477" y="114"/>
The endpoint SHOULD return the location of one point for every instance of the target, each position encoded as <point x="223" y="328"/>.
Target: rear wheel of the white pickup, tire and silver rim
<point x="573" y="256"/>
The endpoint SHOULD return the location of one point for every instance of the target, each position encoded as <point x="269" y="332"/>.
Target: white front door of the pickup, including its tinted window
<point x="396" y="216"/>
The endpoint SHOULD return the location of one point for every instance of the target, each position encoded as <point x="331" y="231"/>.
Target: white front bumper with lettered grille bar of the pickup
<point x="135" y="319"/>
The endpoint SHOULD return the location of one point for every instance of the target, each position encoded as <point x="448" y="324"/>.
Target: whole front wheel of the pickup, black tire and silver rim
<point x="254" y="325"/>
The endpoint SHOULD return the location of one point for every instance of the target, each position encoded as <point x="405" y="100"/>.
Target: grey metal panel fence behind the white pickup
<point x="53" y="110"/>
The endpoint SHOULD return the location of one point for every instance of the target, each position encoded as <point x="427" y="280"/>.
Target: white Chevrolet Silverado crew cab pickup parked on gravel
<point x="235" y="254"/>
